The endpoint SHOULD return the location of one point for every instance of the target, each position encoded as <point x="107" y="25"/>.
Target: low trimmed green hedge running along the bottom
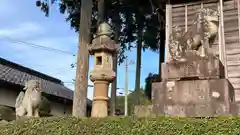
<point x="123" y="126"/>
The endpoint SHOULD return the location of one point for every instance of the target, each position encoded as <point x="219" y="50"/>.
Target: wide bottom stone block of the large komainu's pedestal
<point x="195" y="98"/>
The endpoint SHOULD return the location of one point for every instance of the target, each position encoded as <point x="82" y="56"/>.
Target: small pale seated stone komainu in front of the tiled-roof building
<point x="28" y="103"/>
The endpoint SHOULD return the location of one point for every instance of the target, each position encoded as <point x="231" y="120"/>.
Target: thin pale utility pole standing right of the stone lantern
<point x="127" y="63"/>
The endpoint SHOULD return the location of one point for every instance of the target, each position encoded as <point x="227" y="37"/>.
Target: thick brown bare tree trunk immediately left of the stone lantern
<point x="81" y="85"/>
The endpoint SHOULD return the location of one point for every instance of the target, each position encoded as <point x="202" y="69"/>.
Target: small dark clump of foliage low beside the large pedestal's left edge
<point x="148" y="84"/>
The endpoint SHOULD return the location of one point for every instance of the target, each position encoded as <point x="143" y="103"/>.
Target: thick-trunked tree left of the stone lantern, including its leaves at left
<point x="83" y="13"/>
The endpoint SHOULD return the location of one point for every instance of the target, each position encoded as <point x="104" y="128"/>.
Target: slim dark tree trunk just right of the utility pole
<point x="138" y="67"/>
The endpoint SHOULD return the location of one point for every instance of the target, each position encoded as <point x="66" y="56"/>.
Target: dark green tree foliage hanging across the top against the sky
<point x="131" y="16"/>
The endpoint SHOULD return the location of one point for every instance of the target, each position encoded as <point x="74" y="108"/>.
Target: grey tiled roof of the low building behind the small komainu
<point x="14" y="73"/>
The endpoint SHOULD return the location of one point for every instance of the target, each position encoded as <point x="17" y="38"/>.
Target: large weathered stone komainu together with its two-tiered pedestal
<point x="193" y="80"/>
